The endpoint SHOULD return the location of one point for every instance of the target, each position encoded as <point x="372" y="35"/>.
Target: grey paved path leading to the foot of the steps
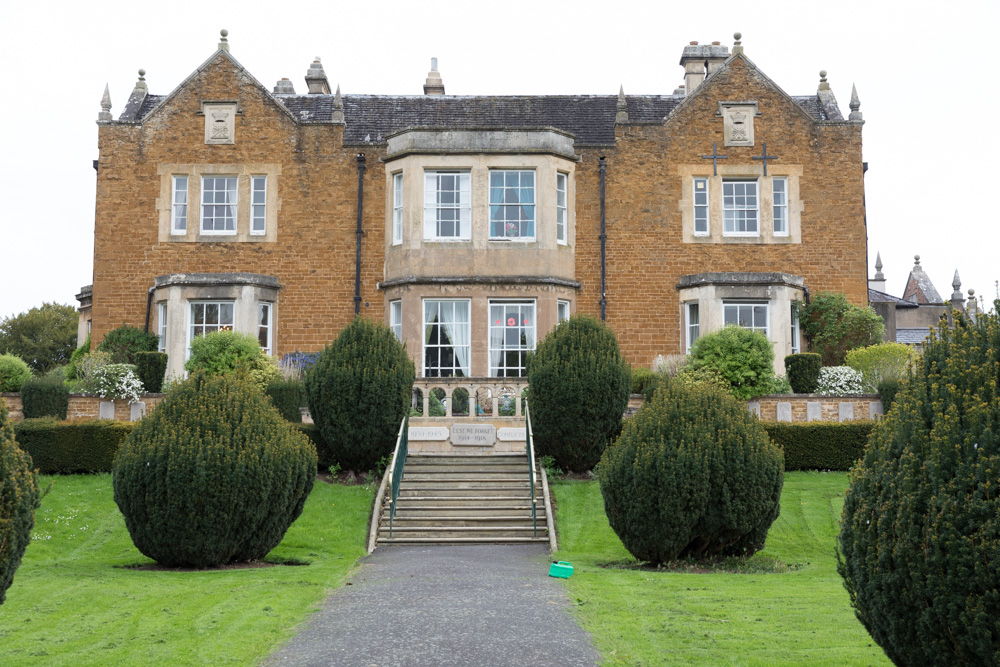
<point x="442" y="606"/>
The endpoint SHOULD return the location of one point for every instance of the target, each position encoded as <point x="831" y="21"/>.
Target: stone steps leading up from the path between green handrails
<point x="465" y="499"/>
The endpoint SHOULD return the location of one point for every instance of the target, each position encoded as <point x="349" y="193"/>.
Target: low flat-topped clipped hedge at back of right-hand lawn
<point x="820" y="445"/>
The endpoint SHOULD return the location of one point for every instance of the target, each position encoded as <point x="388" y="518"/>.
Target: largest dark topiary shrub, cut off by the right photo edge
<point x="920" y="533"/>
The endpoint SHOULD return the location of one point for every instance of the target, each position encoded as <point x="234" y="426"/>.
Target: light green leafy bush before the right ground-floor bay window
<point x="744" y="358"/>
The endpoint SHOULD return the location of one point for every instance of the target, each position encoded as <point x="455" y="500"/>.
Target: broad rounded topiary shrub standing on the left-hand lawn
<point x="214" y="475"/>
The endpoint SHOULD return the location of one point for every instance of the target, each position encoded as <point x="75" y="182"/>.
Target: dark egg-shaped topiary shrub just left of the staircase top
<point x="359" y="390"/>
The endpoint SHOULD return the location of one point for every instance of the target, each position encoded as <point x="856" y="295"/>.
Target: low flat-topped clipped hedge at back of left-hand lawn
<point x="71" y="446"/>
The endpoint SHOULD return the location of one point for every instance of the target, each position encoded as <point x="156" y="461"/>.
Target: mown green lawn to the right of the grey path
<point x="642" y="617"/>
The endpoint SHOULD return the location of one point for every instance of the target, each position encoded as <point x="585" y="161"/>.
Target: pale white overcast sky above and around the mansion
<point x="923" y="73"/>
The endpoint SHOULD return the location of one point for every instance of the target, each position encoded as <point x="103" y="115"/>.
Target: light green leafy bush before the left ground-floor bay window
<point x="226" y="351"/>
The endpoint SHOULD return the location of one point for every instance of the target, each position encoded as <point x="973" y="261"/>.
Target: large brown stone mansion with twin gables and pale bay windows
<point x="472" y="225"/>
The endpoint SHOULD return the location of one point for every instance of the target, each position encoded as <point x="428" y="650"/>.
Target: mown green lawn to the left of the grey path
<point x="72" y="603"/>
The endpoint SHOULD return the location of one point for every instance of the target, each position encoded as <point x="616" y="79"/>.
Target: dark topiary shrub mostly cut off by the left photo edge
<point x="18" y="502"/>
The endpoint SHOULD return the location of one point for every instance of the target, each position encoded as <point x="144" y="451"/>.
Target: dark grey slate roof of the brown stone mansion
<point x="372" y="118"/>
